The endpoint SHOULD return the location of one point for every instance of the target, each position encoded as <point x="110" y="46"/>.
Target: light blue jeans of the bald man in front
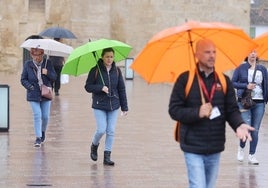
<point x="202" y="169"/>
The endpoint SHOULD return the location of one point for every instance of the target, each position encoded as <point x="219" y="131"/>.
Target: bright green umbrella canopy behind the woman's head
<point x="85" y="57"/>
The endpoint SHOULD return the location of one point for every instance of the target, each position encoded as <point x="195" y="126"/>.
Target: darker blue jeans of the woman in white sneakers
<point x="253" y="117"/>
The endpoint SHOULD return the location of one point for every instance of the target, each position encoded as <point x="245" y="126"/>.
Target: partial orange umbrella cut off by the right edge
<point x="262" y="49"/>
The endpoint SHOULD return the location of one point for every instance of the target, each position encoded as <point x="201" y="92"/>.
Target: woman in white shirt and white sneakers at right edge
<point x="242" y="80"/>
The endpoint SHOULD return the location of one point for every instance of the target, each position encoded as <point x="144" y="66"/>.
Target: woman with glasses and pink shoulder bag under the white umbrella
<point x="36" y="72"/>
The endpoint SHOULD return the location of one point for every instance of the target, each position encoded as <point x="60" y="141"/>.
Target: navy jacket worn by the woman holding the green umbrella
<point x="114" y="81"/>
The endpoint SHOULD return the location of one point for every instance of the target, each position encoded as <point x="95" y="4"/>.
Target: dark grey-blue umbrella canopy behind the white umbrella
<point x="57" y="32"/>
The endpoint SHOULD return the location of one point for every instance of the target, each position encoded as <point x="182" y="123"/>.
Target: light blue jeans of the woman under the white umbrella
<point x="41" y="112"/>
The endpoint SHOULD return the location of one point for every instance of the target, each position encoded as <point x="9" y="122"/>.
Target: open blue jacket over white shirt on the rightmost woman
<point x="240" y="79"/>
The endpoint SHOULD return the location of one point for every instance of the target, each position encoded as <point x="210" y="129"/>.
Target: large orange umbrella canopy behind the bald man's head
<point x="171" y="51"/>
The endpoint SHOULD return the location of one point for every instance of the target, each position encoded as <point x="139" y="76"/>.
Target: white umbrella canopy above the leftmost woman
<point x="50" y="47"/>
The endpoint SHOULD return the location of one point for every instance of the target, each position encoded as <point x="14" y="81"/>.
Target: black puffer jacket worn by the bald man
<point x="202" y="135"/>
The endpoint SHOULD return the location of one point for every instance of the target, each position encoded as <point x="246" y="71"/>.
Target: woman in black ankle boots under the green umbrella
<point x="106" y="83"/>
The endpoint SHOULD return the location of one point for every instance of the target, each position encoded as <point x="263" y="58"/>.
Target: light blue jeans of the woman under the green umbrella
<point x="106" y="123"/>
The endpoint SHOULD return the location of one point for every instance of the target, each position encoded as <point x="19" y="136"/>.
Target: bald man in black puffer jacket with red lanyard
<point x="202" y="130"/>
